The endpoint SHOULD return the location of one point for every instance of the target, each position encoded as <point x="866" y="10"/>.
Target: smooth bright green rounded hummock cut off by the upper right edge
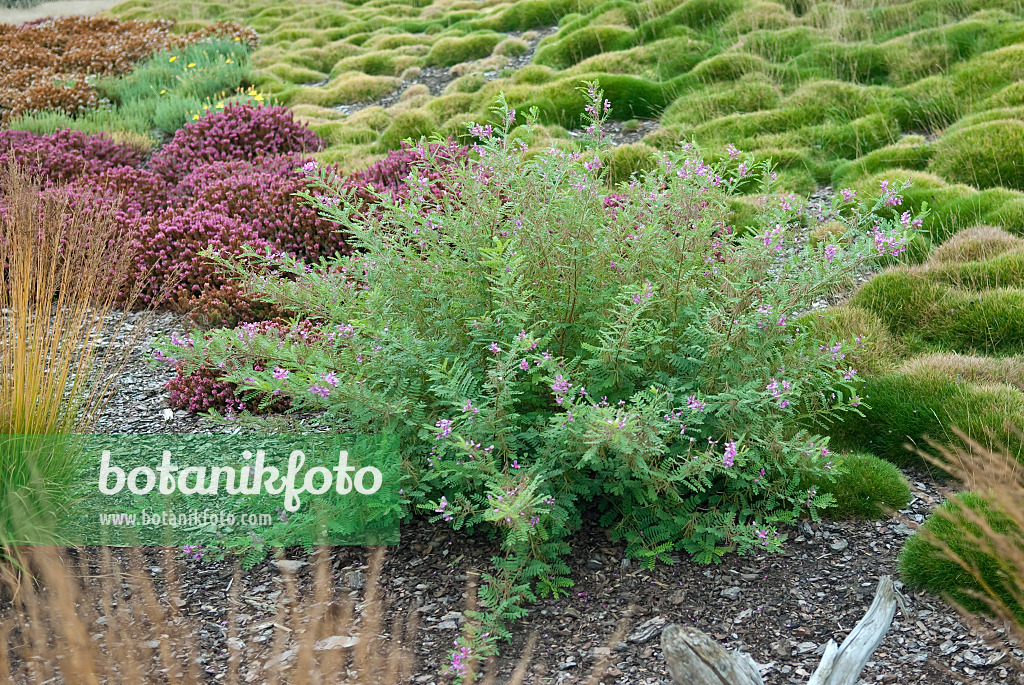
<point x="985" y="156"/>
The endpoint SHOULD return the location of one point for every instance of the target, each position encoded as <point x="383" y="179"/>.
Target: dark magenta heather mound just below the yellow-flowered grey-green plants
<point x="240" y="133"/>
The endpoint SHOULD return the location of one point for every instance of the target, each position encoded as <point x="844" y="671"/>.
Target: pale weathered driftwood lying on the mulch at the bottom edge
<point x="695" y="659"/>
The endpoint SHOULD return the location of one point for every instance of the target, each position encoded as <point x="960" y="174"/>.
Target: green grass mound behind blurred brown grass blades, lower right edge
<point x="923" y="566"/>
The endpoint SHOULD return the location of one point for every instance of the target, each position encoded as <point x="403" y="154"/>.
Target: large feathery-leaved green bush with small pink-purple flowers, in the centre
<point x="541" y="358"/>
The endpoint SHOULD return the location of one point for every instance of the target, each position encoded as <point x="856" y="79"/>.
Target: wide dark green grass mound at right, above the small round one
<point x="904" y="409"/>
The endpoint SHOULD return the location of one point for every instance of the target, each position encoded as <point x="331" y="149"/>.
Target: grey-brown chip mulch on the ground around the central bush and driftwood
<point x="780" y="609"/>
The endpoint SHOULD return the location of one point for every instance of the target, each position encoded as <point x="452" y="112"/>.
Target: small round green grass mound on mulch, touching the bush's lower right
<point x="869" y="488"/>
